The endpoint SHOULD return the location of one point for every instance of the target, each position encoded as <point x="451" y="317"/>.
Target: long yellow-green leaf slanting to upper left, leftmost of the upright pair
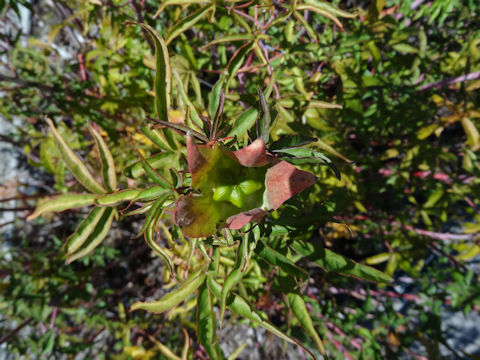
<point x="74" y="164"/>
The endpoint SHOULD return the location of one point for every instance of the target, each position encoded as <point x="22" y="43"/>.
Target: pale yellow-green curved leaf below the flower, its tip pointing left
<point x="174" y="297"/>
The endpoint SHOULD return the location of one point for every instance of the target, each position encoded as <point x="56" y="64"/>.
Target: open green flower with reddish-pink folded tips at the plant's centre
<point x="236" y="187"/>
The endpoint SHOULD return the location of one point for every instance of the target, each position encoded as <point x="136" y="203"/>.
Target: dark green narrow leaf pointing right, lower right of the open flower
<point x="330" y="261"/>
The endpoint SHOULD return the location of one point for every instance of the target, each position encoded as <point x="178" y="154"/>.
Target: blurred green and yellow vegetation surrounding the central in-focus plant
<point x="405" y="141"/>
